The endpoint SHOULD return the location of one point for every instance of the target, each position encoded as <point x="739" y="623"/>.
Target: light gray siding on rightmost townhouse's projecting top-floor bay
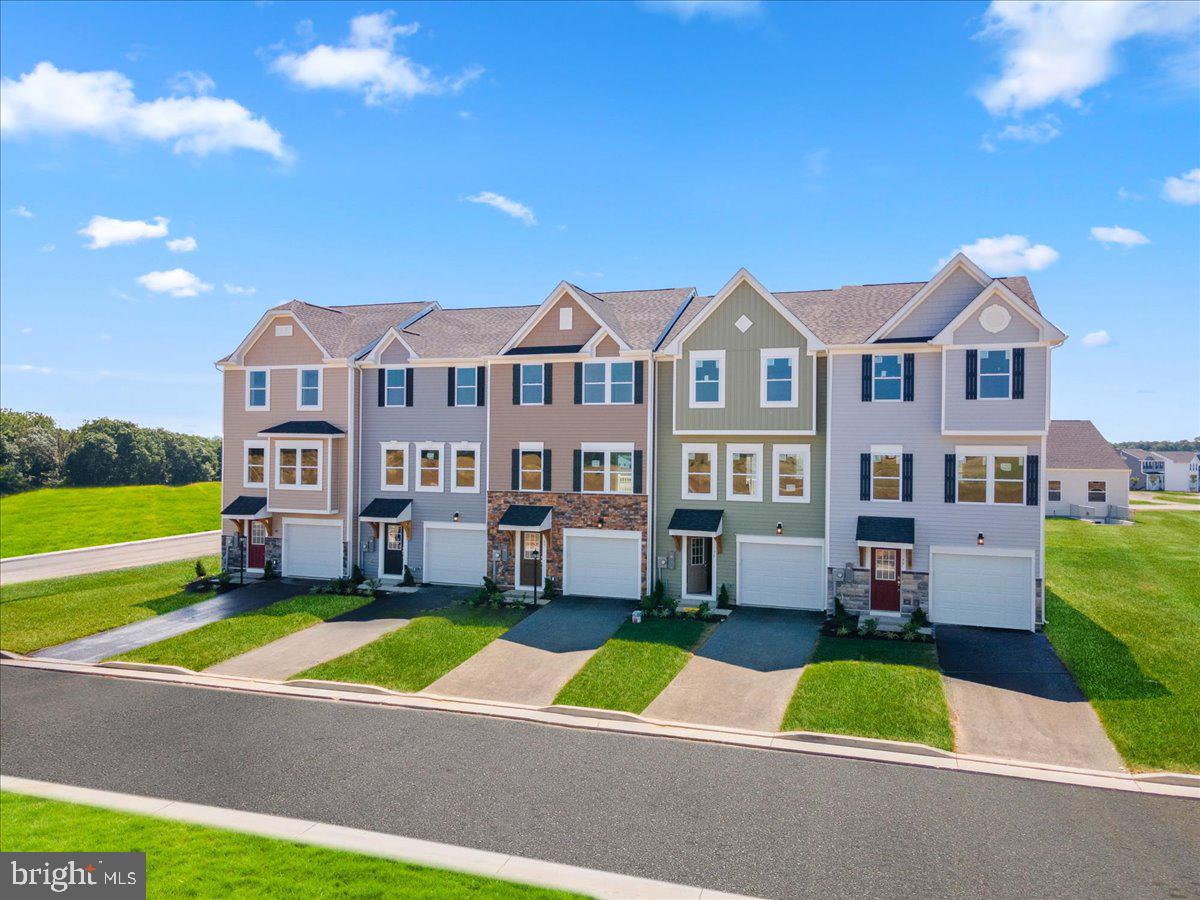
<point x="1027" y="416"/>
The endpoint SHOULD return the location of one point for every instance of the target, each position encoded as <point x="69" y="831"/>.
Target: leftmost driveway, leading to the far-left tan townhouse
<point x="105" y="645"/>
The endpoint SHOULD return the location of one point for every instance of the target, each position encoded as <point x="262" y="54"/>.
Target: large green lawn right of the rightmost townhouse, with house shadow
<point x="1124" y="614"/>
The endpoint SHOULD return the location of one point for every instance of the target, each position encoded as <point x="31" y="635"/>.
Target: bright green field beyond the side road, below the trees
<point x="68" y="518"/>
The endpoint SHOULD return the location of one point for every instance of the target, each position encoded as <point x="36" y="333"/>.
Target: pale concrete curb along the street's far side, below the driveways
<point x="1167" y="784"/>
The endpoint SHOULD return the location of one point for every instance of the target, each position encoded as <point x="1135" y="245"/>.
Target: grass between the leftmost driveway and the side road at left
<point x="44" y="614"/>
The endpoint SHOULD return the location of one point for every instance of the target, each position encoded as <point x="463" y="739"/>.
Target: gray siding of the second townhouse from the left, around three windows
<point x="428" y="421"/>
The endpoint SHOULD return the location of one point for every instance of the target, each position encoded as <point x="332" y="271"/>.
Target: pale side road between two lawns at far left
<point x="83" y="561"/>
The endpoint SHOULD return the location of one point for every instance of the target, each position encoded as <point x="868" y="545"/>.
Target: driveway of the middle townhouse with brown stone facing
<point x="537" y="657"/>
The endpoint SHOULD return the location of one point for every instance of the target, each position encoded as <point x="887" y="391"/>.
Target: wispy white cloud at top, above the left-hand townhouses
<point x="369" y="64"/>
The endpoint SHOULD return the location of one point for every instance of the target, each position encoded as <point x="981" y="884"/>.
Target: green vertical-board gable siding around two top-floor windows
<point x="743" y="362"/>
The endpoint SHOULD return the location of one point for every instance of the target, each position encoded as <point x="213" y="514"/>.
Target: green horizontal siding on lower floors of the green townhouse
<point x="801" y="520"/>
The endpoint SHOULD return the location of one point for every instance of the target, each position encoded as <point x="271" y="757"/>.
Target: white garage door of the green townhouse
<point x="778" y="574"/>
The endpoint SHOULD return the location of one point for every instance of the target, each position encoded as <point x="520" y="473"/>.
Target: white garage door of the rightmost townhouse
<point x="979" y="590"/>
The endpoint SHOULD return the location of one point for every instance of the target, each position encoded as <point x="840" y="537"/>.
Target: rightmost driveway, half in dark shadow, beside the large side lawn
<point x="1012" y="698"/>
